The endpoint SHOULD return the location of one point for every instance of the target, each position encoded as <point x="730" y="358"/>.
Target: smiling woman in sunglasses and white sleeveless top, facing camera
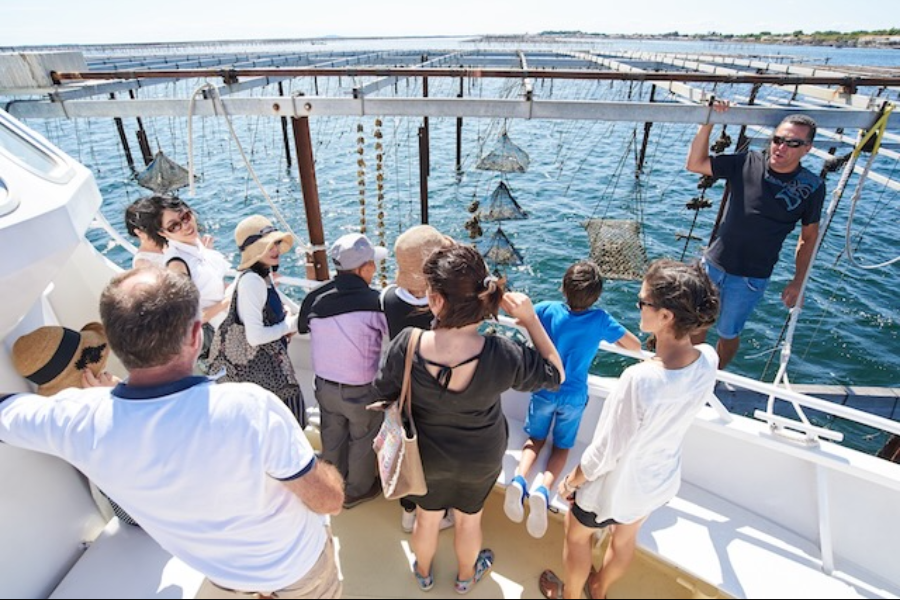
<point x="174" y="225"/>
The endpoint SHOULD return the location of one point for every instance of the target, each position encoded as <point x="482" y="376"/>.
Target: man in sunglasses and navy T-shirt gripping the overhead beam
<point x="770" y="192"/>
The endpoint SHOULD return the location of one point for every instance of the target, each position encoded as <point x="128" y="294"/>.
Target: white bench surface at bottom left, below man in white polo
<point x="125" y="562"/>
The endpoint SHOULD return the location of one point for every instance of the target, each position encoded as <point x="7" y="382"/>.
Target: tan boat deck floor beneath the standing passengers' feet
<point x="520" y="559"/>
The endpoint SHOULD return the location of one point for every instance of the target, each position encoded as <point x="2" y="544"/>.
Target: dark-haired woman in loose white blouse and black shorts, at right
<point x="633" y="464"/>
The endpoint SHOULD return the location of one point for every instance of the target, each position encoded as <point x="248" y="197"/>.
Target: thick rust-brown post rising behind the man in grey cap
<point x="317" y="263"/>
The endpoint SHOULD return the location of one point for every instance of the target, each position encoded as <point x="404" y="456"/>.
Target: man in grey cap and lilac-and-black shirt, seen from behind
<point x="347" y="326"/>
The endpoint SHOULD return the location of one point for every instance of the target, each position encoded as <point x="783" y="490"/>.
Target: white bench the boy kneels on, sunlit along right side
<point x="705" y="535"/>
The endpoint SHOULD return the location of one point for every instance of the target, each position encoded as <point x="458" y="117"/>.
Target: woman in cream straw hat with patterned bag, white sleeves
<point x="251" y="344"/>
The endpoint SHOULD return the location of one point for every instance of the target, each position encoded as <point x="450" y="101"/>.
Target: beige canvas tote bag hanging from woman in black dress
<point x="397" y="446"/>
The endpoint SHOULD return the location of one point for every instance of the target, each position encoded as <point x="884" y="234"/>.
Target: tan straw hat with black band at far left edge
<point x="54" y="357"/>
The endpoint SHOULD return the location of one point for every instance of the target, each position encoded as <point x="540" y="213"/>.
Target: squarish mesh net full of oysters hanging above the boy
<point x="616" y="247"/>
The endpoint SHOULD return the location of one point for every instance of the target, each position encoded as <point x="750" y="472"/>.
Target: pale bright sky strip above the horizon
<point x="50" y="22"/>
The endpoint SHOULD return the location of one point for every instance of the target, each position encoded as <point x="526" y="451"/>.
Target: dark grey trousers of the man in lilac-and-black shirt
<point x="348" y="430"/>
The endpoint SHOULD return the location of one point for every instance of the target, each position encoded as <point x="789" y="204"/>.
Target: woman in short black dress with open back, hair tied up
<point x="458" y="376"/>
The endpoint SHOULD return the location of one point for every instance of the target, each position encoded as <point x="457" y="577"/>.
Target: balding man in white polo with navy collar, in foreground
<point x="221" y="476"/>
